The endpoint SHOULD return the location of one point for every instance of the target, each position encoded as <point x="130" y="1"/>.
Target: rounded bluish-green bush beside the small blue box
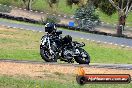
<point x="86" y="17"/>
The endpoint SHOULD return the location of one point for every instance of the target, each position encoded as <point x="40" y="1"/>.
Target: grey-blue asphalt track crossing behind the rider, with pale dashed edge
<point x="75" y="34"/>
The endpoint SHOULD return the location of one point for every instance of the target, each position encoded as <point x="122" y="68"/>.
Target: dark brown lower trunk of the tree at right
<point x="121" y="25"/>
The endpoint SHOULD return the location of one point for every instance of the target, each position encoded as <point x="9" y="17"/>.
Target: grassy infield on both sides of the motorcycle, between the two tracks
<point x="24" y="45"/>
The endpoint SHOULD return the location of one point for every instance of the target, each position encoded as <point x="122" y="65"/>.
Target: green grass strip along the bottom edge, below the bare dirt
<point x="13" y="82"/>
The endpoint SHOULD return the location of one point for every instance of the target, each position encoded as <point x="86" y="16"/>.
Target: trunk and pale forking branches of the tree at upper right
<point x="123" y="7"/>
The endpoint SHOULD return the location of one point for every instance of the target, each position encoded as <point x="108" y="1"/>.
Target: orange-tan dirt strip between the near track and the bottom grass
<point x="47" y="71"/>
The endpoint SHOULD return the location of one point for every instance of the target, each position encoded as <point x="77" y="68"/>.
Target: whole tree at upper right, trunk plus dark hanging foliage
<point x="109" y="7"/>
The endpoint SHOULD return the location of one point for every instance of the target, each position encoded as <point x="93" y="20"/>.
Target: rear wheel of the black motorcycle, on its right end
<point x="83" y="58"/>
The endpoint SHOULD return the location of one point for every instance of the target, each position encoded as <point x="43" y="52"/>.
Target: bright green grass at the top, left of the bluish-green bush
<point x="41" y="5"/>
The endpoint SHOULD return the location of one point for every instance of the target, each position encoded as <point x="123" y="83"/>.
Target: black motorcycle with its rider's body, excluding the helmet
<point x="53" y="47"/>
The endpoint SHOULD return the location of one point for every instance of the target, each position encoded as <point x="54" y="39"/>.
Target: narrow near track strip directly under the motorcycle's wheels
<point x="95" y="65"/>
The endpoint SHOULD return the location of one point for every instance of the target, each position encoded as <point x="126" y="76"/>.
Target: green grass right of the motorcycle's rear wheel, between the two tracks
<point x="105" y="54"/>
